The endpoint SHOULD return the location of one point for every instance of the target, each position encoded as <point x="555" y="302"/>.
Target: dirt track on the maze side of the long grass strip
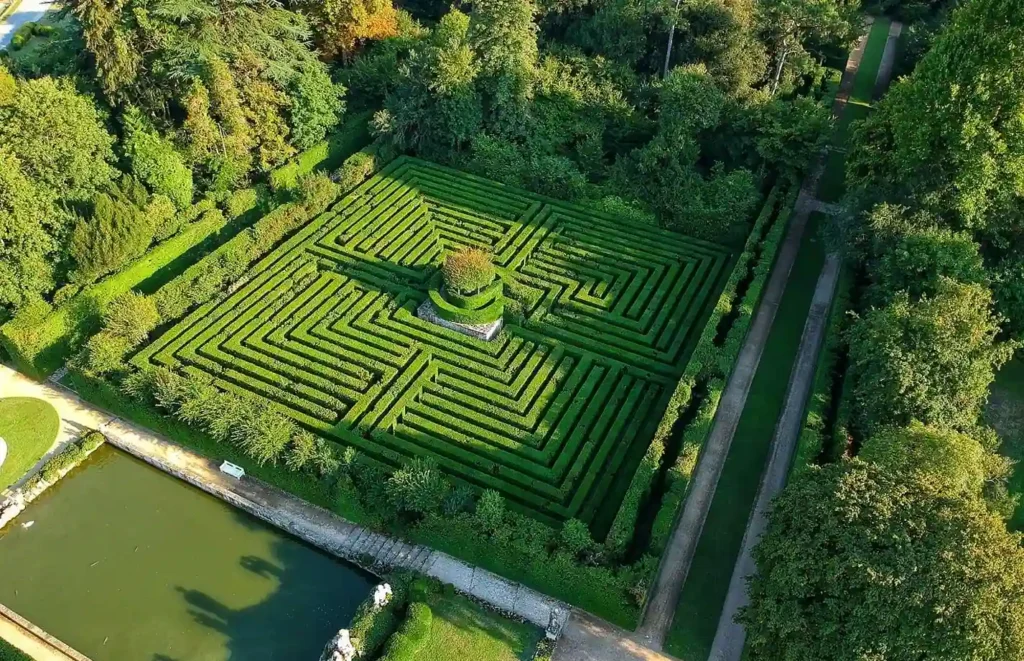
<point x="679" y="554"/>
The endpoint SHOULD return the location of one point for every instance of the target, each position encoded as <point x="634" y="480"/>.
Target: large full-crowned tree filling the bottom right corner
<point x="862" y="563"/>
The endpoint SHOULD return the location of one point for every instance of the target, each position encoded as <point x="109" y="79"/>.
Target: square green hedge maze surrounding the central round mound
<point x="556" y="414"/>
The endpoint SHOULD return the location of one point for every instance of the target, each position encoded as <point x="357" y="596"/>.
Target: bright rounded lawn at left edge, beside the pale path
<point x="29" y="427"/>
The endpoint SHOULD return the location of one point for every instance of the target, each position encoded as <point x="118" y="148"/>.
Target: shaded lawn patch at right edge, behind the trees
<point x="1006" y="413"/>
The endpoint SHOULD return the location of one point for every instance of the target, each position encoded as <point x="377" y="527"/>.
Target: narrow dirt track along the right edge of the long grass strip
<point x="731" y="637"/>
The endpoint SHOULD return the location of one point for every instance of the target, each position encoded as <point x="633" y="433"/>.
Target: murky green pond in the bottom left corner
<point x="125" y="563"/>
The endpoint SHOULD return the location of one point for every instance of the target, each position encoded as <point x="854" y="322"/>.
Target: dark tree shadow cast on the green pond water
<point x="310" y="598"/>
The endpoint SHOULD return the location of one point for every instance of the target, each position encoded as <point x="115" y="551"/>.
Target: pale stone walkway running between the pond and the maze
<point x="318" y="526"/>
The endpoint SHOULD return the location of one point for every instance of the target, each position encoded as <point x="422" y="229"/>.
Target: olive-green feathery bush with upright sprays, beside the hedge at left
<point x="115" y="232"/>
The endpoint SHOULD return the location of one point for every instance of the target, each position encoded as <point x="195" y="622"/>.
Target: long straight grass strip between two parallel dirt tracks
<point x="708" y="581"/>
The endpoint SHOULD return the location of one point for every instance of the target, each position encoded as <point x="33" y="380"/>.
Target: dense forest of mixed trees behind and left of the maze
<point x="133" y="113"/>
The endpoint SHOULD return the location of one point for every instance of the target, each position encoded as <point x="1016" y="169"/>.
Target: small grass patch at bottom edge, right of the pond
<point x="463" y="631"/>
